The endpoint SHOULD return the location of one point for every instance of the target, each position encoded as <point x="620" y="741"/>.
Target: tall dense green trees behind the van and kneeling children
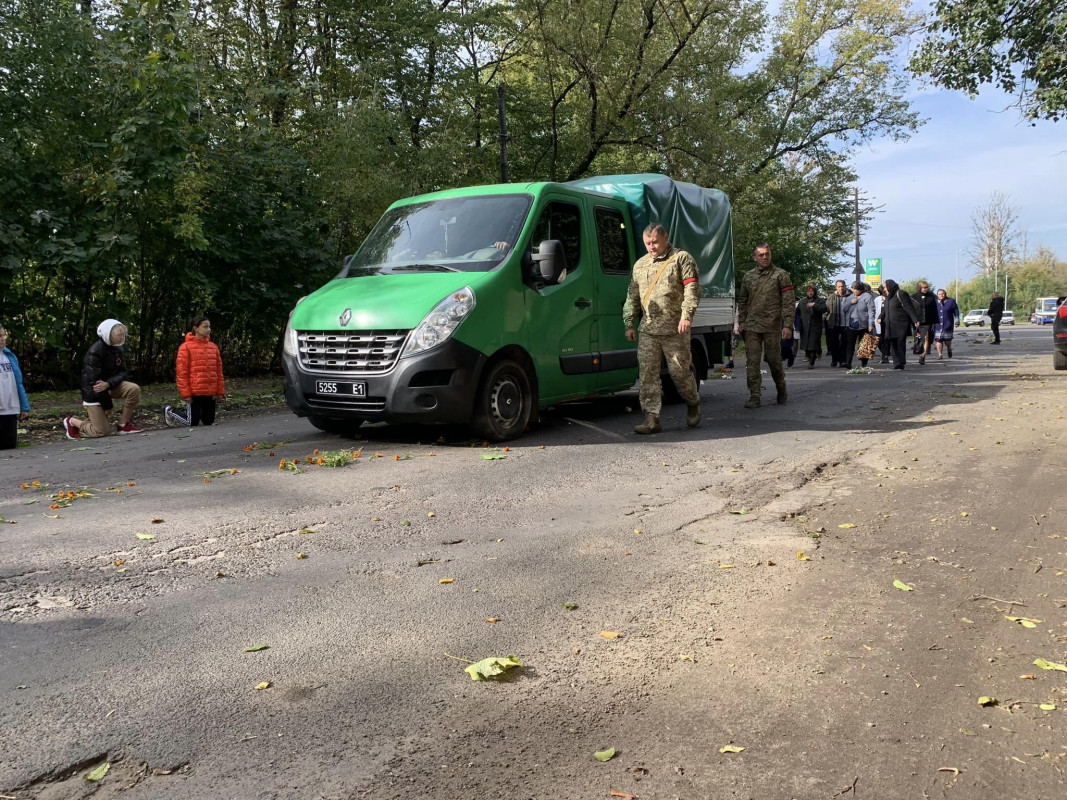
<point x="166" y="158"/>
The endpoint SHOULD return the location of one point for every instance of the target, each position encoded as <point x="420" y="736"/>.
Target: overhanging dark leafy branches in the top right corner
<point x="1020" y="46"/>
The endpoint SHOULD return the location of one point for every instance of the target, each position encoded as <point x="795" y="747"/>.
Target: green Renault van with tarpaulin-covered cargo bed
<point x="483" y="306"/>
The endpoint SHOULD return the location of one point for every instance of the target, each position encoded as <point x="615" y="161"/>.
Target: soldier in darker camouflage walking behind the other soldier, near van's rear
<point x="766" y="310"/>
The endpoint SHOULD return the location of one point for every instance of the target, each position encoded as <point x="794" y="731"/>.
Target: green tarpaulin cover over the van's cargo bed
<point x="697" y="221"/>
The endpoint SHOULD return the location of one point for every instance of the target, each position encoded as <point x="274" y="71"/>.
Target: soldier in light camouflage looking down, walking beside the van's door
<point x="664" y="293"/>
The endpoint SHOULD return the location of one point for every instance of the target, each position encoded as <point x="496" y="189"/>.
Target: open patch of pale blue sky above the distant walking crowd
<point x="932" y="183"/>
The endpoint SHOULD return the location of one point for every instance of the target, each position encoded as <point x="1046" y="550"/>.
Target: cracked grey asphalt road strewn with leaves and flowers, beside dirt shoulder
<point x="370" y="583"/>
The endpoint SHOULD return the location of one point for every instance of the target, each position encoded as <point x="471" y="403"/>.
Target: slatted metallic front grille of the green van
<point x="349" y="354"/>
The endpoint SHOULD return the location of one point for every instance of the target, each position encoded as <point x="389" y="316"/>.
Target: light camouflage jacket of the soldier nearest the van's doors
<point x="674" y="298"/>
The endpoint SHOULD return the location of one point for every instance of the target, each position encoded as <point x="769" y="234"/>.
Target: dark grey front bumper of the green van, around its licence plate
<point x="437" y="387"/>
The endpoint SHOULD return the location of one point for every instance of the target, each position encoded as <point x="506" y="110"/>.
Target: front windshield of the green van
<point x="451" y="235"/>
